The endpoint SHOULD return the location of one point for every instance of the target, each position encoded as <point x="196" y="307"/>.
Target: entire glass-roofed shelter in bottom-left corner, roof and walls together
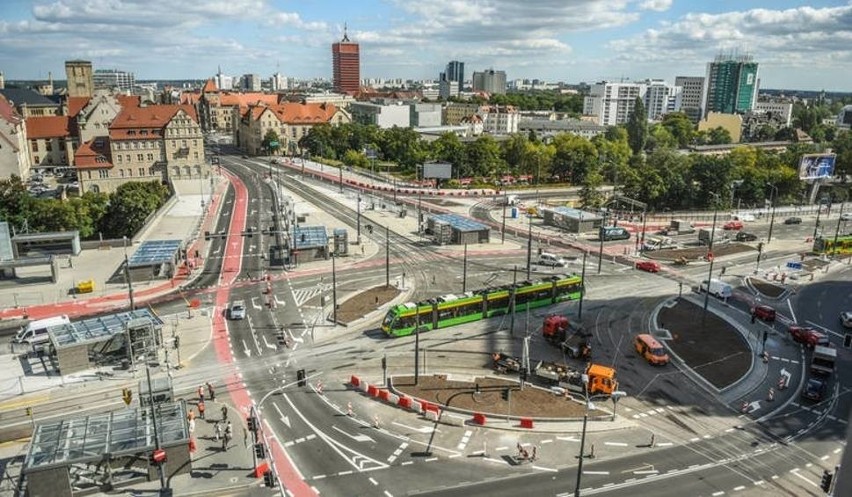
<point x="82" y="455"/>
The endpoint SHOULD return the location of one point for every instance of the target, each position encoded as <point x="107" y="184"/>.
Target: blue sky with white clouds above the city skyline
<point x="798" y="45"/>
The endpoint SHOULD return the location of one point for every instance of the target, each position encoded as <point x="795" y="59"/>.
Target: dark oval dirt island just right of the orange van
<point x="706" y="343"/>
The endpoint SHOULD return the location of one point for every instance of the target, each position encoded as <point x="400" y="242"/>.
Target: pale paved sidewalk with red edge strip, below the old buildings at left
<point x="186" y="217"/>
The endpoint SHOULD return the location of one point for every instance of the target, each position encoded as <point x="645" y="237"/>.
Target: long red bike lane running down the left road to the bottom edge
<point x="231" y="265"/>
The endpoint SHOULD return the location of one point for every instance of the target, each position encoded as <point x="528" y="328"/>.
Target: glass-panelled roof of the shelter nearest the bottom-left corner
<point x="118" y="433"/>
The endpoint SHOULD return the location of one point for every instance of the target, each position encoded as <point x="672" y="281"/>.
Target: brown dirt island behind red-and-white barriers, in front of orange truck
<point x="461" y="394"/>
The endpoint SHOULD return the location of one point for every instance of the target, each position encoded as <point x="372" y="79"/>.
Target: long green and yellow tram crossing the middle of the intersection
<point x="451" y="310"/>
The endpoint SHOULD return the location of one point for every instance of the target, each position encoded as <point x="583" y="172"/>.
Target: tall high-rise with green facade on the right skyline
<point x="731" y="85"/>
